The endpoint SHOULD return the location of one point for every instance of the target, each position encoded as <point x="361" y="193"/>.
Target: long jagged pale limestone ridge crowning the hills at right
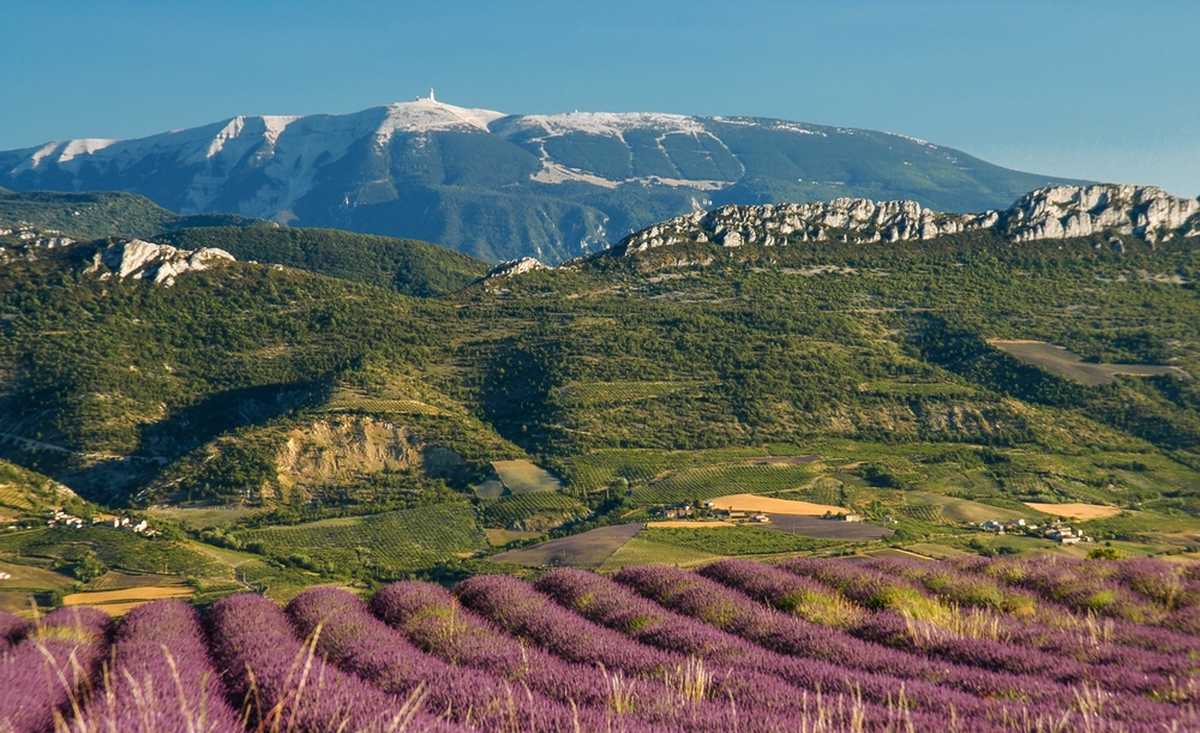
<point x="1051" y="213"/>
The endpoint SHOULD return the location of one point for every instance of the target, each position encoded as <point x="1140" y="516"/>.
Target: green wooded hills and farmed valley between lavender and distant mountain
<point x="332" y="418"/>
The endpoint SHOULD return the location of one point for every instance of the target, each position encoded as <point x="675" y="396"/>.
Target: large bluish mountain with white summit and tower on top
<point x="502" y="187"/>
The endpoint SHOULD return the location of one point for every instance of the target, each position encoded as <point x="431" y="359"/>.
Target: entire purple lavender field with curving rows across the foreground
<point x="812" y="646"/>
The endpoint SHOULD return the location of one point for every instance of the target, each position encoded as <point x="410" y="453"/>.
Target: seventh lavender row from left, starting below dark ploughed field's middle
<point x="615" y="606"/>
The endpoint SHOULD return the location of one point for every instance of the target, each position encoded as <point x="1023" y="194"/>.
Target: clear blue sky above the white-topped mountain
<point x="1103" y="89"/>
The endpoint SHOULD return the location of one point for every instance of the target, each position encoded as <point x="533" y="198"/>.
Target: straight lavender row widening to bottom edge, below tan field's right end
<point x="161" y="678"/>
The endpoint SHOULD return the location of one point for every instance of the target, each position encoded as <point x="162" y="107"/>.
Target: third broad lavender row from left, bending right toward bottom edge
<point x="286" y="687"/>
